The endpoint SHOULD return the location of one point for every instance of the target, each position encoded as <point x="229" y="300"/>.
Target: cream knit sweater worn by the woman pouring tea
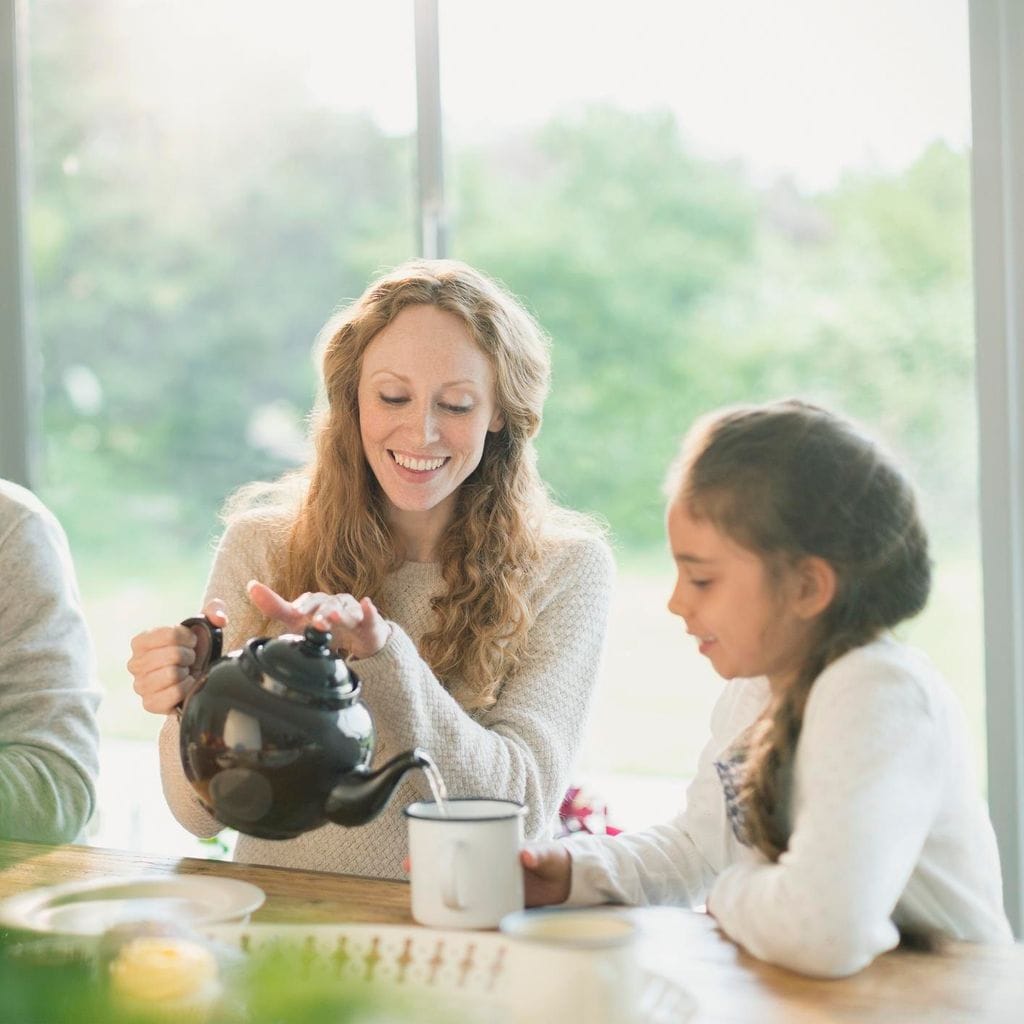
<point x="521" y="749"/>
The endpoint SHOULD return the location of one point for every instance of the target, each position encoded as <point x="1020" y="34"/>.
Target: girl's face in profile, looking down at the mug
<point x="748" y="623"/>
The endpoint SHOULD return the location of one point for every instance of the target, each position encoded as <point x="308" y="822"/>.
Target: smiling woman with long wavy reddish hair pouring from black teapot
<point x="472" y="607"/>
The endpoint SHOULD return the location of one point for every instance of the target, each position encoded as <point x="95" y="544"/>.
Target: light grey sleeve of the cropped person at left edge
<point x="49" y="693"/>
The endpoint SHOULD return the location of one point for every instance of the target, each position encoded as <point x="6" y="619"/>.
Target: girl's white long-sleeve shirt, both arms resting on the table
<point x="887" y="827"/>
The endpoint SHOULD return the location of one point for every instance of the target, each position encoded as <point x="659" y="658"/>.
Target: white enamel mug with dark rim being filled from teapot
<point x="465" y="866"/>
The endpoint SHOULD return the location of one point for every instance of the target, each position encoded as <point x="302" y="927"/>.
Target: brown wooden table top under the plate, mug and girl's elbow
<point x="965" y="985"/>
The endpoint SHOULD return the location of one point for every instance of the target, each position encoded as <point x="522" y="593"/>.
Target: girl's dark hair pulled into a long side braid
<point x="789" y="481"/>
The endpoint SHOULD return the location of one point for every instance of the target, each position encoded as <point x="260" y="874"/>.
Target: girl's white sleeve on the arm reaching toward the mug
<point x="675" y="863"/>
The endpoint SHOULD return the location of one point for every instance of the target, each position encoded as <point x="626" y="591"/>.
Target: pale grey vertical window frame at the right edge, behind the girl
<point x="998" y="187"/>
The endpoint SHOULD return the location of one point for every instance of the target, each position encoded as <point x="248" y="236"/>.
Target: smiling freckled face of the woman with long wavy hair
<point x="426" y="404"/>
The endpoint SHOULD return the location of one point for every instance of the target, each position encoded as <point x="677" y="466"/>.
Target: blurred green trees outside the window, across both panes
<point x="185" y="262"/>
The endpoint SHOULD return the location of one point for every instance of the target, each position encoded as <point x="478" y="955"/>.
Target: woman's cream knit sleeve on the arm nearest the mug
<point x="523" y="748"/>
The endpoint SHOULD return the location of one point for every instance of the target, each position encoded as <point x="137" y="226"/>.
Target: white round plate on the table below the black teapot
<point x="92" y="908"/>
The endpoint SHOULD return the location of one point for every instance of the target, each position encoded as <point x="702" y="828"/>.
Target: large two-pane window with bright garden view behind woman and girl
<point x="703" y="203"/>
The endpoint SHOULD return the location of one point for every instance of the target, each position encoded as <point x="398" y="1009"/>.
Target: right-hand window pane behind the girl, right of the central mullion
<point x="718" y="203"/>
